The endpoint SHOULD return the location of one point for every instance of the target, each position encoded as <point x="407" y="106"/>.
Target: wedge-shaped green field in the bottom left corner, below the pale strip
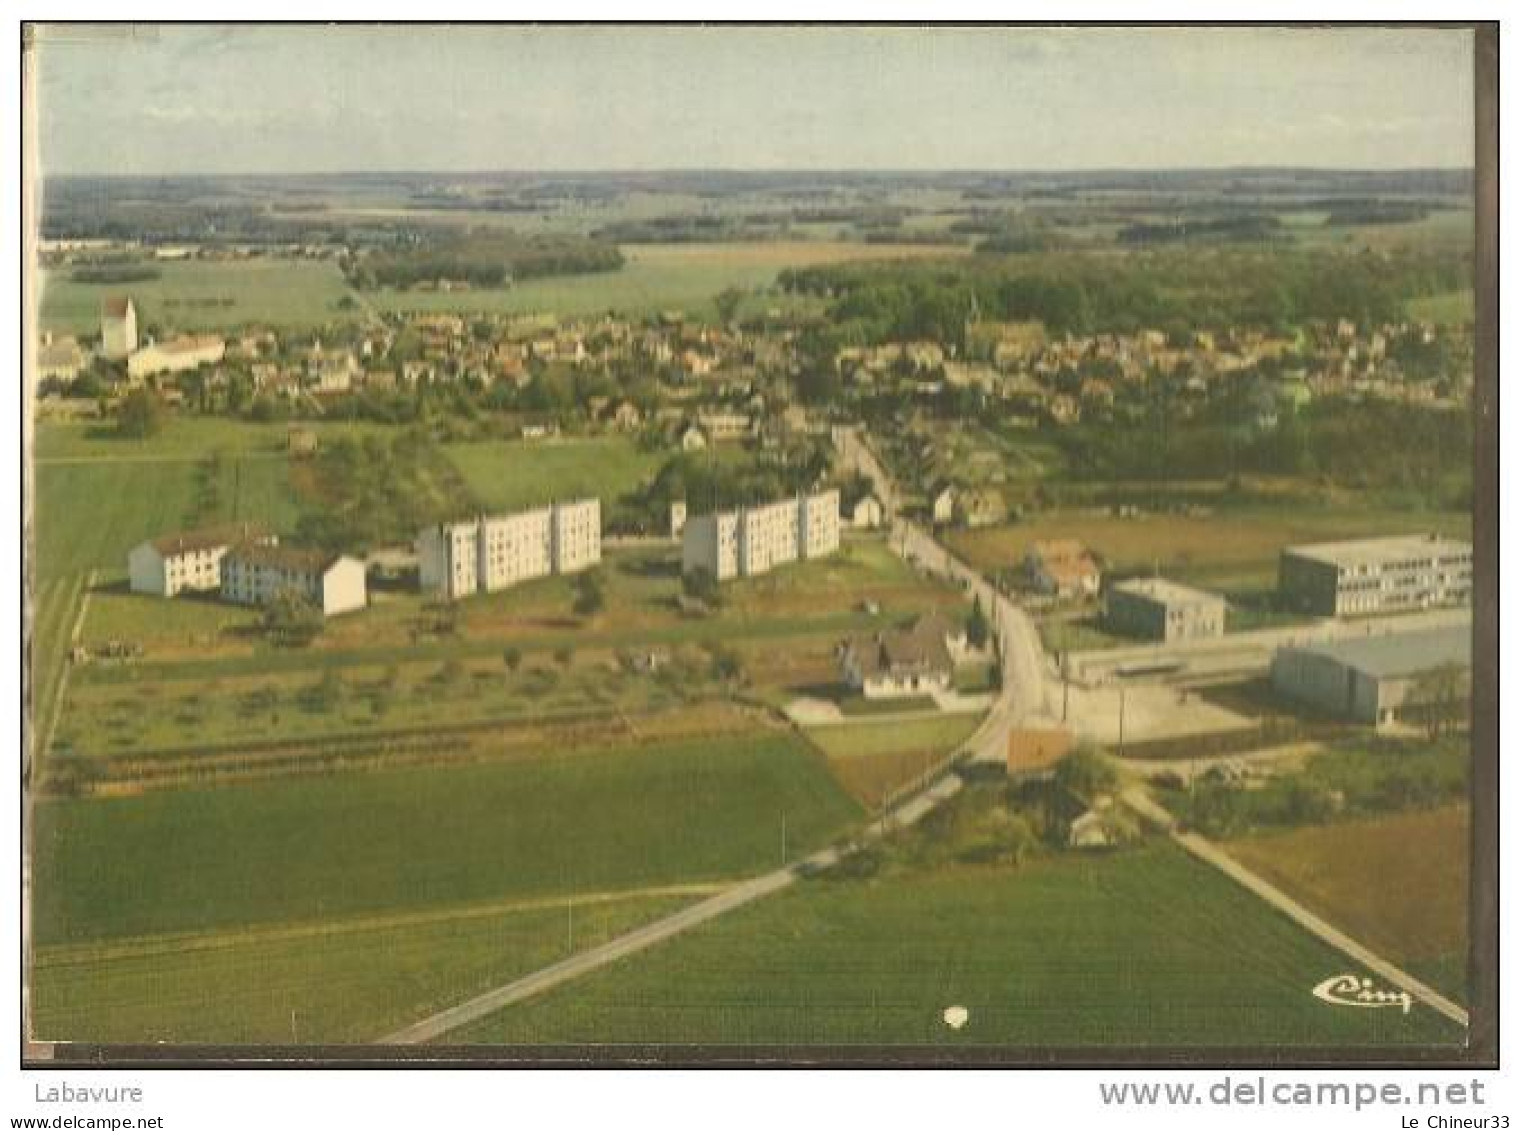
<point x="334" y="983"/>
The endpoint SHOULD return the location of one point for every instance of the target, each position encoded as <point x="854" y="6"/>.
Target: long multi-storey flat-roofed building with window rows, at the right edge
<point x="1376" y="575"/>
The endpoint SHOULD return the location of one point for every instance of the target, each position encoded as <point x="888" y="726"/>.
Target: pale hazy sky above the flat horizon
<point x="282" y="100"/>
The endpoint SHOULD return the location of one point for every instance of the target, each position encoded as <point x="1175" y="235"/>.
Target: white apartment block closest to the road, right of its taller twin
<point x="755" y="540"/>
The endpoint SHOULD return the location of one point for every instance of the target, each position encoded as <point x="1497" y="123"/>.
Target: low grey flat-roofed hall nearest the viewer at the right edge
<point x="1372" y="679"/>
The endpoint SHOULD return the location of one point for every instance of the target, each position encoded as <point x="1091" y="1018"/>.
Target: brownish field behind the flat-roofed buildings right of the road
<point x="1230" y="550"/>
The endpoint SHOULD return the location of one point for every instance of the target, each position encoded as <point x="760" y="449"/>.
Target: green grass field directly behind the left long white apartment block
<point x="507" y="475"/>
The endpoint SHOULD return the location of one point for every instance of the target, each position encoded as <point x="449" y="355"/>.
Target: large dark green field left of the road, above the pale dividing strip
<point x="388" y="841"/>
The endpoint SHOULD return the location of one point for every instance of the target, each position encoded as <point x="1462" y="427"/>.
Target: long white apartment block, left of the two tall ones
<point x="493" y="553"/>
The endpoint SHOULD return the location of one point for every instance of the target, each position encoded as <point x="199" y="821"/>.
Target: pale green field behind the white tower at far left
<point x="206" y="296"/>
